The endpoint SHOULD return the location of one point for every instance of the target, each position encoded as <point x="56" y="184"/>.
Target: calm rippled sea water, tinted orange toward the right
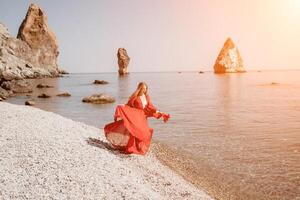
<point x="242" y="128"/>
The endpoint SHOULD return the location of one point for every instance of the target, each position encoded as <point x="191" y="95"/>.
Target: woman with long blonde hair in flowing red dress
<point x="130" y="131"/>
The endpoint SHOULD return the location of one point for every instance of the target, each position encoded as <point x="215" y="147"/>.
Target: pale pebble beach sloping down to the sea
<point x="45" y="155"/>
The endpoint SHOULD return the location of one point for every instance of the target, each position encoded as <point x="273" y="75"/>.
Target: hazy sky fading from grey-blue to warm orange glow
<point x="167" y="35"/>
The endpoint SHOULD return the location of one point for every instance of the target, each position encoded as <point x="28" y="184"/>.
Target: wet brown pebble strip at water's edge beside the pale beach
<point x="201" y="176"/>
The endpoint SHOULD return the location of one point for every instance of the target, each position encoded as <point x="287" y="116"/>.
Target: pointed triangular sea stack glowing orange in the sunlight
<point x="229" y="59"/>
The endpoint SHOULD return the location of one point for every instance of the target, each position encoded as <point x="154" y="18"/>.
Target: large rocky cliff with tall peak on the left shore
<point x="33" y="54"/>
